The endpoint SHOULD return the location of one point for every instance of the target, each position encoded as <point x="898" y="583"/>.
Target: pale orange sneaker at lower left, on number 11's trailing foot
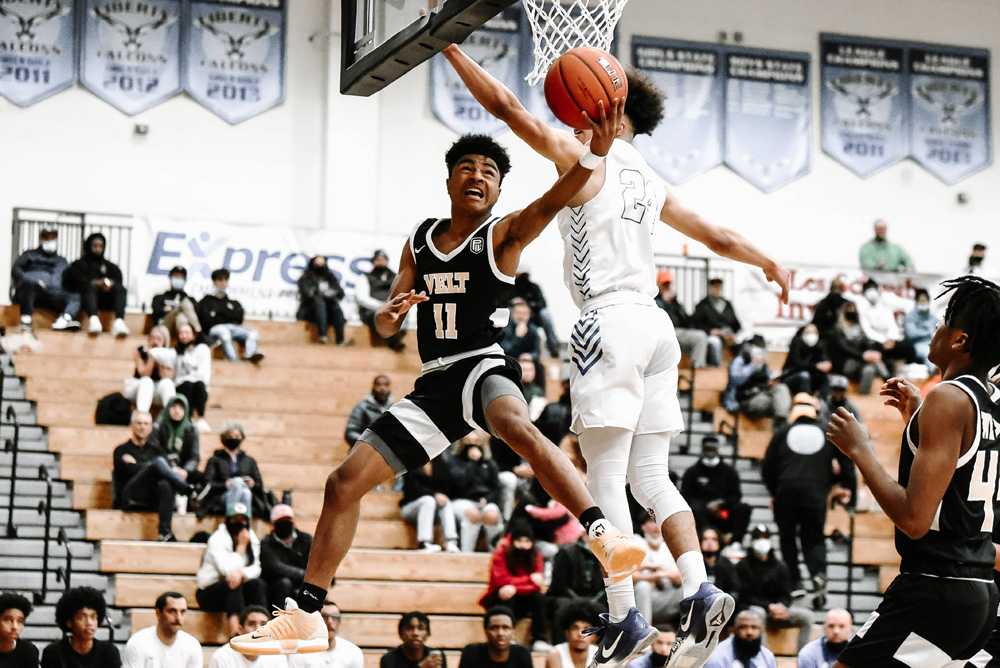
<point x="292" y="631"/>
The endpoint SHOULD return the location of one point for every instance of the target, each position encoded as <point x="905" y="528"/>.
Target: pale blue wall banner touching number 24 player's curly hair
<point x="689" y="140"/>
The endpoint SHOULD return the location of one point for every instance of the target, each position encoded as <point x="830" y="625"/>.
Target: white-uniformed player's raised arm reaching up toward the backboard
<point x="556" y="145"/>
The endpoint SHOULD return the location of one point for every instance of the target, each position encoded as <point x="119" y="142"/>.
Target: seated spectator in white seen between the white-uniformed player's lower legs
<point x="658" y="581"/>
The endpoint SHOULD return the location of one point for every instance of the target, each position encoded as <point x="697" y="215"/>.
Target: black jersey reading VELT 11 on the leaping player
<point x="467" y="309"/>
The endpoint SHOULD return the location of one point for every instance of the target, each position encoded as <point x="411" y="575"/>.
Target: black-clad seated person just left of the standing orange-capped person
<point x="712" y="489"/>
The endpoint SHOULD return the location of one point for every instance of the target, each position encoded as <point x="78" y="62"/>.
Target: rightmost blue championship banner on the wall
<point x="950" y="131"/>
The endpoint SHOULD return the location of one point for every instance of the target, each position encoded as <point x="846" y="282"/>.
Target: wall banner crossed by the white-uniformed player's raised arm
<point x="496" y="47"/>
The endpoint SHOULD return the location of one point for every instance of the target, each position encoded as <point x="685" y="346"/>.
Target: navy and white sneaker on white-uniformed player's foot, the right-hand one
<point x="703" y="617"/>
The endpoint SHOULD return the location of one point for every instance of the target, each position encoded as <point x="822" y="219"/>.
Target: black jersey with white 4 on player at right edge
<point x="959" y="543"/>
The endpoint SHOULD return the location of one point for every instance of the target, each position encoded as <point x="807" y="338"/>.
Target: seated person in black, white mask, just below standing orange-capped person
<point x="766" y="587"/>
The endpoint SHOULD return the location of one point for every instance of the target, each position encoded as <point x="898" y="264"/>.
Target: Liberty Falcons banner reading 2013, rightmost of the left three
<point x="235" y="56"/>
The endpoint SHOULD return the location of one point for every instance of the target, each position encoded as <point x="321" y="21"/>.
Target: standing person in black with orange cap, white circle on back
<point x="800" y="469"/>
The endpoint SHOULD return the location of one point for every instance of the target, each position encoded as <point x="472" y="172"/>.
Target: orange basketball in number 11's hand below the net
<point x="580" y="78"/>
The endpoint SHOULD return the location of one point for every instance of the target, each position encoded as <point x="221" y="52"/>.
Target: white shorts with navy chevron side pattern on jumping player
<point x="624" y="370"/>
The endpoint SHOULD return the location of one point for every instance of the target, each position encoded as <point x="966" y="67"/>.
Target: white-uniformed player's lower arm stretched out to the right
<point x="723" y="241"/>
